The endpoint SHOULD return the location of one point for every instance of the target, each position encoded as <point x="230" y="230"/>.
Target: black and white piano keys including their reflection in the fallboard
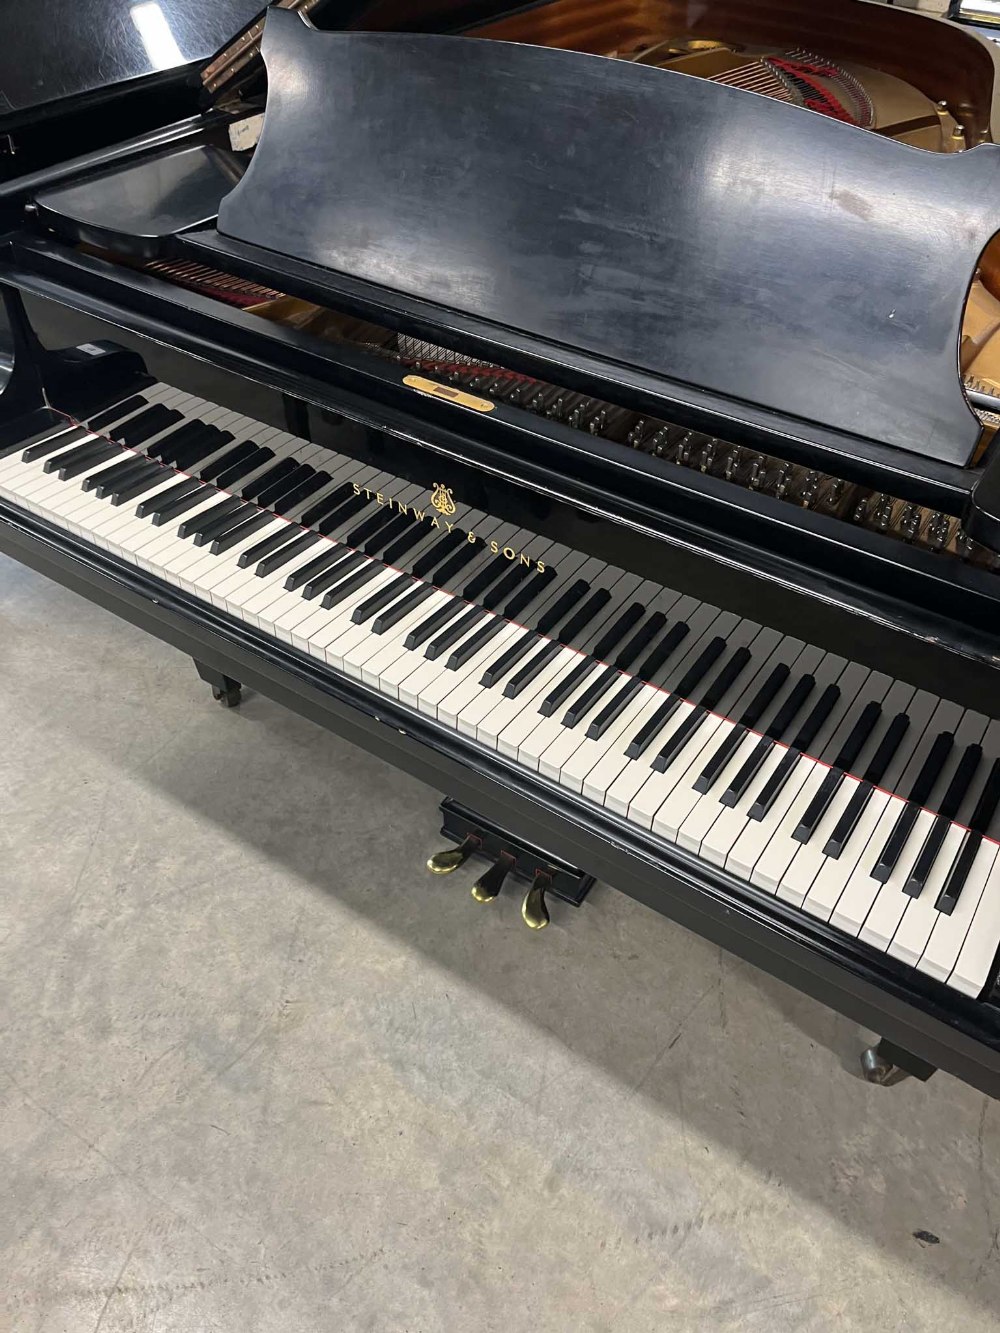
<point x="850" y="796"/>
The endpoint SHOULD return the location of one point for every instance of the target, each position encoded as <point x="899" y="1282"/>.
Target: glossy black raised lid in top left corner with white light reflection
<point x="79" y="49"/>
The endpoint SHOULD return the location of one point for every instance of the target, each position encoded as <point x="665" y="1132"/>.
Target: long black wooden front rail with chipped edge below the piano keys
<point x="923" y="1016"/>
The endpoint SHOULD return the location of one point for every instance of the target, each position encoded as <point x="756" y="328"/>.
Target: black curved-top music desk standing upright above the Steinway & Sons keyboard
<point x="690" y="231"/>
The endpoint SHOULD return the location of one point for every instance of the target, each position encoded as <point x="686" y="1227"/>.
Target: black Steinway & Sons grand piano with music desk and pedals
<point x="589" y="407"/>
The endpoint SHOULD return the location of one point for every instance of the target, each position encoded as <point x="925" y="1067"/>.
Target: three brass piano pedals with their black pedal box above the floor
<point x="546" y="875"/>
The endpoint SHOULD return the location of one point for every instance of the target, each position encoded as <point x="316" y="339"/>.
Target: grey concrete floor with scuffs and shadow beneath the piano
<point x="261" y="1072"/>
